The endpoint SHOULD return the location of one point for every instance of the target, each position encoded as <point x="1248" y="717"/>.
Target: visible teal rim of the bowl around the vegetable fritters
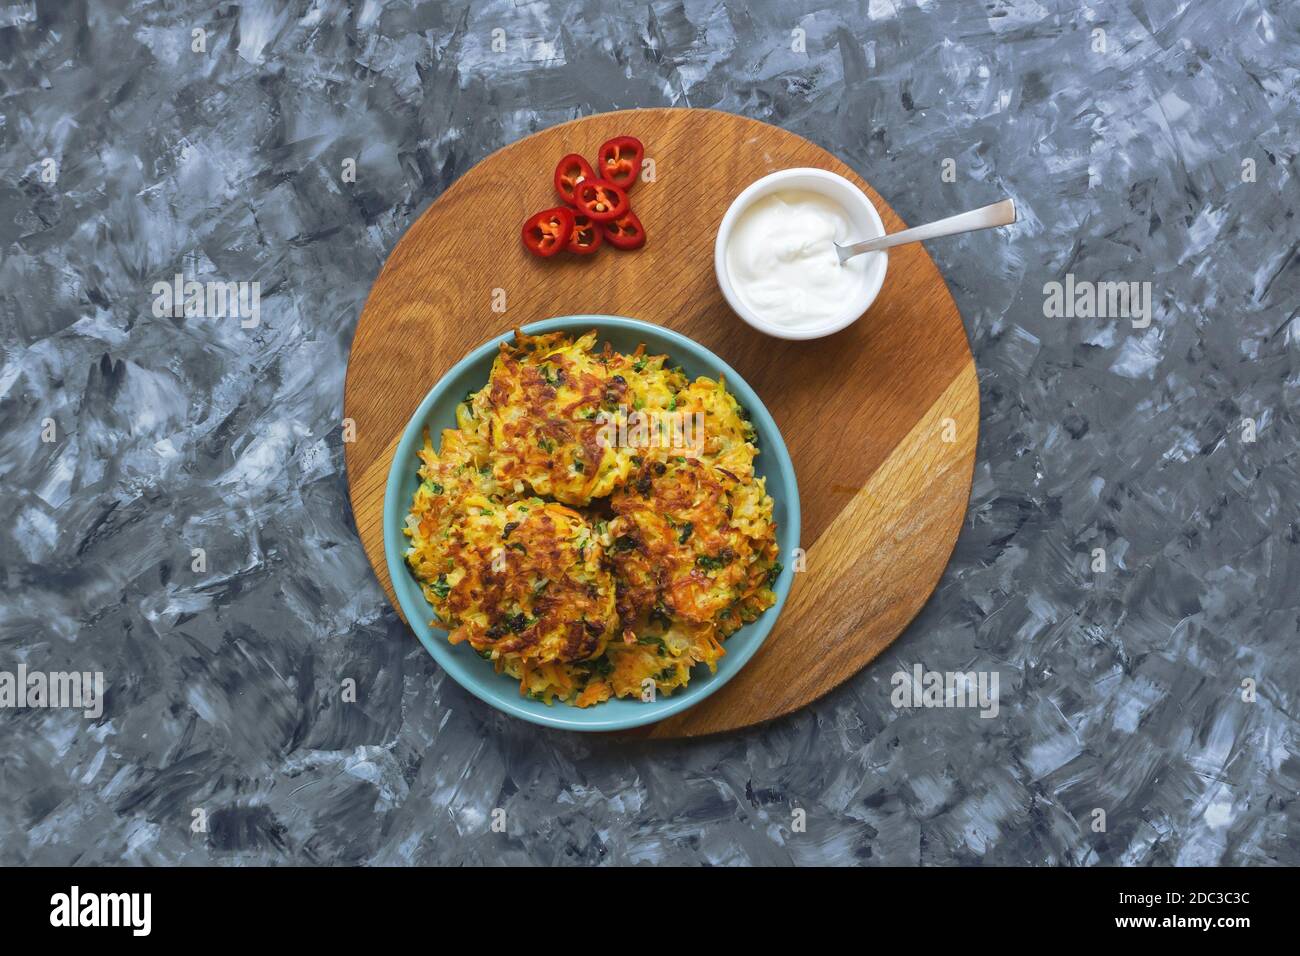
<point x="413" y="603"/>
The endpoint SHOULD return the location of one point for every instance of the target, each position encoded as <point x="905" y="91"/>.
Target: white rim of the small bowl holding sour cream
<point x="852" y="313"/>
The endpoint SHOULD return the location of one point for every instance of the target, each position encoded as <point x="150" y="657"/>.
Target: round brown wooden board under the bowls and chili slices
<point x="881" y="419"/>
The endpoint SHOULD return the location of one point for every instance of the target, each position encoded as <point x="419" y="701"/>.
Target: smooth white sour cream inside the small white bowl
<point x="782" y="262"/>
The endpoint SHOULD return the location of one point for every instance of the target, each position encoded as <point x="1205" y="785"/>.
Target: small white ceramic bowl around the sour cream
<point x="866" y="226"/>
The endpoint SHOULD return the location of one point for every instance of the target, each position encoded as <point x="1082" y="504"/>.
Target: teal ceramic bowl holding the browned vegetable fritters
<point x="439" y="412"/>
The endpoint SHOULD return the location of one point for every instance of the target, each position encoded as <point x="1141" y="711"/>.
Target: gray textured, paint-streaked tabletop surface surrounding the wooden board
<point x="1119" y="691"/>
